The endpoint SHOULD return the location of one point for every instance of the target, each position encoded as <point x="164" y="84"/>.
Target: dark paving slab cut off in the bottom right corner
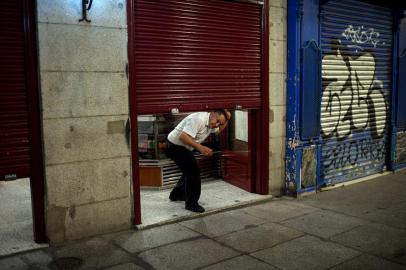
<point x="368" y="262"/>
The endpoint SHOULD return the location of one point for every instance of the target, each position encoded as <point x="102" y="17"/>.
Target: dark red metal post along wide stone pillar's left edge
<point x="34" y="118"/>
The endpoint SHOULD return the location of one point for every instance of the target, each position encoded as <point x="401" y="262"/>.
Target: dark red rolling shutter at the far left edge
<point x="14" y="142"/>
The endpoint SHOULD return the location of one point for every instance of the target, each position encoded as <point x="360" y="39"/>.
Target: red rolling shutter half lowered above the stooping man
<point x="197" y="55"/>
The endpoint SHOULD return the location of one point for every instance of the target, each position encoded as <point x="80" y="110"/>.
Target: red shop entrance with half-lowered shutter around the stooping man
<point x="189" y="56"/>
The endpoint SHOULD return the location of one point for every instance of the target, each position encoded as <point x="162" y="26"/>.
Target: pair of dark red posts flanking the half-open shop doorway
<point x="262" y="169"/>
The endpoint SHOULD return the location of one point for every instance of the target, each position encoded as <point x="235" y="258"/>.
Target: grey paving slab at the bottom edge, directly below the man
<point x="187" y="255"/>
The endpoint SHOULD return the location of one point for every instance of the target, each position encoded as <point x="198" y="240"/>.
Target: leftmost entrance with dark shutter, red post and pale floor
<point x="21" y="159"/>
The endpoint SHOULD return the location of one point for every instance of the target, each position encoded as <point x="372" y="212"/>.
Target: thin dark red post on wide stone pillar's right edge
<point x="133" y="114"/>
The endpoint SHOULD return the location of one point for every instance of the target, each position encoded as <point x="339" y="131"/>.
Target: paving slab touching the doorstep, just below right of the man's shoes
<point x="223" y="223"/>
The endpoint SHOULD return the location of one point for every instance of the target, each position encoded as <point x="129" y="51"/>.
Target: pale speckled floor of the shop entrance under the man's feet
<point x="156" y="207"/>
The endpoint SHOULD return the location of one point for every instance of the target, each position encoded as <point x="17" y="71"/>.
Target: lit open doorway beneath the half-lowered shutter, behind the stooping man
<point x="228" y="177"/>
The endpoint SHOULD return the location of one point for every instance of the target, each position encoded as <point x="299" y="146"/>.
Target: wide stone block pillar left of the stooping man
<point x="84" y="92"/>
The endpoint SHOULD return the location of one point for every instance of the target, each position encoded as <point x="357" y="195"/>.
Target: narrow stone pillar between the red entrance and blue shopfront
<point x="277" y="94"/>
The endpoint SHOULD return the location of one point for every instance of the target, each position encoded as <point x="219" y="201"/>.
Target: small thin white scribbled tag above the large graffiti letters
<point x="361" y="35"/>
